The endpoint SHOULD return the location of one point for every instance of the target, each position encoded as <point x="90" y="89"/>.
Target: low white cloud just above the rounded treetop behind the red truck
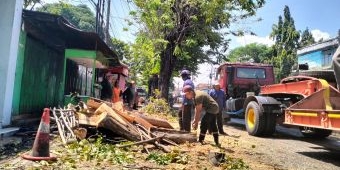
<point x="248" y="39"/>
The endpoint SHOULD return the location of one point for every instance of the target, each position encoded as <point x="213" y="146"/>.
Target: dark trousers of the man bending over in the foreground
<point x="208" y="121"/>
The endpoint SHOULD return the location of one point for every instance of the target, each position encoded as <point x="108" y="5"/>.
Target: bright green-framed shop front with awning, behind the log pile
<point x="84" y="70"/>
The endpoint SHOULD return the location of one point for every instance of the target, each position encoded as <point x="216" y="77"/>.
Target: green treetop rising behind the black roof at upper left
<point x="81" y="16"/>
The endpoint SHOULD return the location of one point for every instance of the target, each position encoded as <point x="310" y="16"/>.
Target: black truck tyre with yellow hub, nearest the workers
<point x="254" y="119"/>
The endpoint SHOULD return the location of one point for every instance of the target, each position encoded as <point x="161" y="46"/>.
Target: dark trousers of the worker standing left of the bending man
<point x="184" y="118"/>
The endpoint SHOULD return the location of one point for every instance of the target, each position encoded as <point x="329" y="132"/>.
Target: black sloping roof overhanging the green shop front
<point x="58" y="33"/>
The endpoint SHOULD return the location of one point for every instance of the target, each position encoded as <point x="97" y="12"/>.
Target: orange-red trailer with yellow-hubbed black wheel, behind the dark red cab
<point x="308" y="103"/>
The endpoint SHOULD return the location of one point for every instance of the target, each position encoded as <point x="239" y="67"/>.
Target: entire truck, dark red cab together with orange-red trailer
<point x="308" y="103"/>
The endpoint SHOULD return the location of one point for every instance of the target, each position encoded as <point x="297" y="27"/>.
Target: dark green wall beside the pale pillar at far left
<point x="39" y="77"/>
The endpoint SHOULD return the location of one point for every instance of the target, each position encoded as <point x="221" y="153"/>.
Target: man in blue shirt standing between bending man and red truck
<point x="219" y="96"/>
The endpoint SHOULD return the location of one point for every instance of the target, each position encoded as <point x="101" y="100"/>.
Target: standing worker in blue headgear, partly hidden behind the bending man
<point x="184" y="114"/>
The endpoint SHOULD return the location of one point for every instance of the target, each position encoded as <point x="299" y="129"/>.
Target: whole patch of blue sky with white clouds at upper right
<point x="319" y="16"/>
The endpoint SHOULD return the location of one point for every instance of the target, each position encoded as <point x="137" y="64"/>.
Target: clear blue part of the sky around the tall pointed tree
<point x="314" y="14"/>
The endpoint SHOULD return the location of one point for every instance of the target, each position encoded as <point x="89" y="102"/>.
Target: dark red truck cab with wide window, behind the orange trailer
<point x="240" y="79"/>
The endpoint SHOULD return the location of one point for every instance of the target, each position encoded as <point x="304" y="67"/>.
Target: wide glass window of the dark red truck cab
<point x="252" y="73"/>
